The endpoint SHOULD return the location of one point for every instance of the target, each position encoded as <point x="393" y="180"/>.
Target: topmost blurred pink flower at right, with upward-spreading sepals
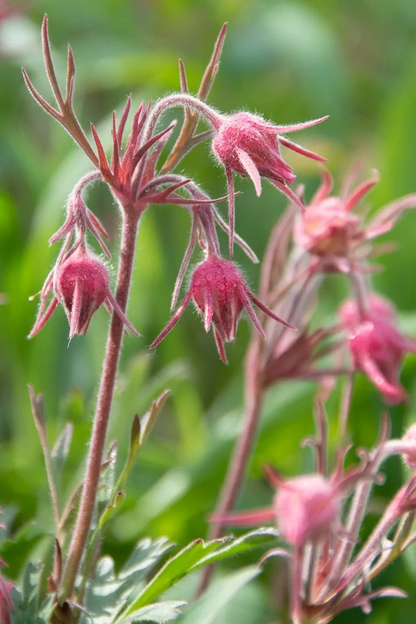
<point x="330" y="230"/>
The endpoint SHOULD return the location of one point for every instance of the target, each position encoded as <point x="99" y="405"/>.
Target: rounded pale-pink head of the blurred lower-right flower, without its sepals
<point x="306" y="508"/>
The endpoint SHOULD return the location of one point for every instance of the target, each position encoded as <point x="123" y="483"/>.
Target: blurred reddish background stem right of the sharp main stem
<point x="241" y="454"/>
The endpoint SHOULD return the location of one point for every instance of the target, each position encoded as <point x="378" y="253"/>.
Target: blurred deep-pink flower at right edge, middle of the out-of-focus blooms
<point x="376" y="345"/>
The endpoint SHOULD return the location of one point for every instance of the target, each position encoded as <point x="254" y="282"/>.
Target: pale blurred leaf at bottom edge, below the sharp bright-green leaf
<point x="207" y="609"/>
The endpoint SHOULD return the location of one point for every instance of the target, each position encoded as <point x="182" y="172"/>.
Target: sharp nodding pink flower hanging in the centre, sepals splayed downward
<point x="220" y="294"/>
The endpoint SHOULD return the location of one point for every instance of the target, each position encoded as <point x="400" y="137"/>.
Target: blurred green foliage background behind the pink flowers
<point x="287" y="60"/>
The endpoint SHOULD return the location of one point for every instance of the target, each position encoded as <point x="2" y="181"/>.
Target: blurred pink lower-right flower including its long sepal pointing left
<point x="304" y="508"/>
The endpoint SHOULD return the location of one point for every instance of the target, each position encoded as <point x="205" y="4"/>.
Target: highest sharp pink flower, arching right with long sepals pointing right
<point x="250" y="146"/>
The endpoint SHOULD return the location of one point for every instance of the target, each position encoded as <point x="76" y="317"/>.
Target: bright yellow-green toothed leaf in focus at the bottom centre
<point x="175" y="569"/>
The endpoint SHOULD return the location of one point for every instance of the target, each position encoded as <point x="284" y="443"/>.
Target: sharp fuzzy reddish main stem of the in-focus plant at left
<point x="102" y="414"/>
